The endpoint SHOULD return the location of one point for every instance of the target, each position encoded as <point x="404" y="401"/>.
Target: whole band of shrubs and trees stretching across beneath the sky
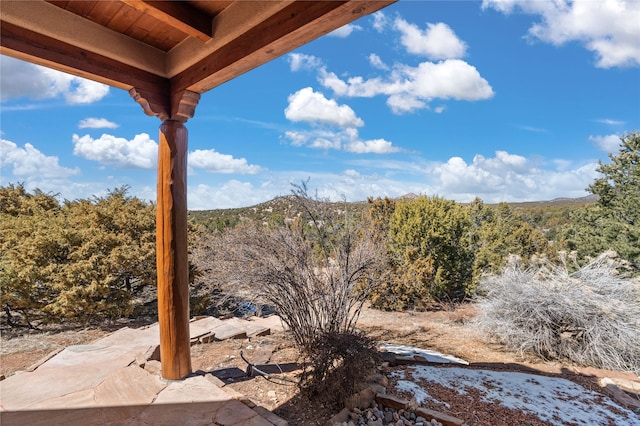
<point x="316" y="262"/>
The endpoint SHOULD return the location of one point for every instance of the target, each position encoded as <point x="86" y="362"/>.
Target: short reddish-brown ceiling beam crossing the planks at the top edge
<point x="179" y="15"/>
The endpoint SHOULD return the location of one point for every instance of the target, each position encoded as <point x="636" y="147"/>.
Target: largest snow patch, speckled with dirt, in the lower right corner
<point x="555" y="400"/>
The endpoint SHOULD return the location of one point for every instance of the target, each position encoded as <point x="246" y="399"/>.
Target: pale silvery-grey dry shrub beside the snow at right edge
<point x="591" y="316"/>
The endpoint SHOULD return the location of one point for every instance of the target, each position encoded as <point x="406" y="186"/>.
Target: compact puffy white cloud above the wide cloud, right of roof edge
<point x="438" y="41"/>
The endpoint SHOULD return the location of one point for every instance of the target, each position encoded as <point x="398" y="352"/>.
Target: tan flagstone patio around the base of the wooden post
<point x="103" y="383"/>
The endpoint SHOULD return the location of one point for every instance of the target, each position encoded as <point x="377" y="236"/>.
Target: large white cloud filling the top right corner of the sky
<point x="609" y="28"/>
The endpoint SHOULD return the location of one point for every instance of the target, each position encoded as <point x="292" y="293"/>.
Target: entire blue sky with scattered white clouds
<point x="505" y="100"/>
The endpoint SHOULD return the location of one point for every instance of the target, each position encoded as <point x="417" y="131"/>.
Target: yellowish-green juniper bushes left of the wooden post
<point x="77" y="261"/>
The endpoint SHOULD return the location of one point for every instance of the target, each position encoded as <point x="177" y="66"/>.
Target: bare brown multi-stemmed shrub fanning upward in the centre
<point x="316" y="272"/>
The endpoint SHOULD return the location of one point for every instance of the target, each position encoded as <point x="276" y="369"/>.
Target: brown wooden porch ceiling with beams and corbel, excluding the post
<point x="158" y="50"/>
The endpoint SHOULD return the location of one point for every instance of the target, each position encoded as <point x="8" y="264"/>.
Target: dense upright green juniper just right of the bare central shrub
<point x="430" y="254"/>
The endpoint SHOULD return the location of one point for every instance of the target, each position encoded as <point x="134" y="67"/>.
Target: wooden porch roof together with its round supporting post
<point x="166" y="54"/>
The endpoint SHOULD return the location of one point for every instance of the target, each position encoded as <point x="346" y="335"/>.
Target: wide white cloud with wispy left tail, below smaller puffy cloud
<point x="410" y="88"/>
